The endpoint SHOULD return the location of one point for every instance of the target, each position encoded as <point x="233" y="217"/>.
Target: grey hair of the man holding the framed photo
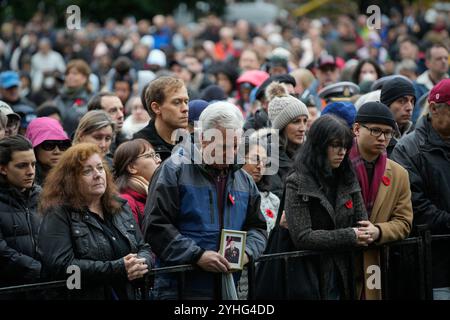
<point x="221" y="114"/>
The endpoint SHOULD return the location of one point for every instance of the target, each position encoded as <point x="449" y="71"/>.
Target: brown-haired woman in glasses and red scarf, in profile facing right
<point x="135" y="162"/>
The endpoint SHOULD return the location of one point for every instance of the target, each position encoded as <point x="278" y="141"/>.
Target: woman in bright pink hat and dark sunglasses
<point x="49" y="142"/>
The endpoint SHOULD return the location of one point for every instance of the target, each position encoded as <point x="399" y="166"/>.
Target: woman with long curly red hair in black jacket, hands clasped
<point x="86" y="224"/>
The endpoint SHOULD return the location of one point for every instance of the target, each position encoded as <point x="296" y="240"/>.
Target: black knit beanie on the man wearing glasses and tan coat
<point x="375" y="112"/>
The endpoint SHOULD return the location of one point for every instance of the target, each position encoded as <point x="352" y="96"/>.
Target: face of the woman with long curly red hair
<point x="93" y="178"/>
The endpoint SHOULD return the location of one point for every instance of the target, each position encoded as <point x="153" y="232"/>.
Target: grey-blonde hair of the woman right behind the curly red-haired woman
<point x="92" y="121"/>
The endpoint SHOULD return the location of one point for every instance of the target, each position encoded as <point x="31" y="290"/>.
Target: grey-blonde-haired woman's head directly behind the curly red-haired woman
<point x="96" y="127"/>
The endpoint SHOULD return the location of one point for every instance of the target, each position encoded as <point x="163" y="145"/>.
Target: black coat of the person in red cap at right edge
<point x="427" y="158"/>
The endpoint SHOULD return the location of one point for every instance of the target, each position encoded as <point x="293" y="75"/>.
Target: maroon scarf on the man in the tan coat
<point x="369" y="193"/>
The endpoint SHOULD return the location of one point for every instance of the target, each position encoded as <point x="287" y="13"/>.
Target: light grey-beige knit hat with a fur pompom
<point x="283" y="108"/>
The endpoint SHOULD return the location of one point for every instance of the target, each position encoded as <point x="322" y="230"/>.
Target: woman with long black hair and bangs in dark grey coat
<point x="323" y="206"/>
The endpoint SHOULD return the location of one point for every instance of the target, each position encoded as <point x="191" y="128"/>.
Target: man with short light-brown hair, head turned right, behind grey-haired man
<point x="166" y="100"/>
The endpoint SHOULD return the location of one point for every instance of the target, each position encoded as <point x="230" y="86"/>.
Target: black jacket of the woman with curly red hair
<point x="73" y="237"/>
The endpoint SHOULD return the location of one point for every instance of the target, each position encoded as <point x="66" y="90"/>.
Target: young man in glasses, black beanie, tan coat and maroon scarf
<point x="384" y="184"/>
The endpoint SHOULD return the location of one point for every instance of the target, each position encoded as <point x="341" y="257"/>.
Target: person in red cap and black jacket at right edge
<point x="426" y="155"/>
